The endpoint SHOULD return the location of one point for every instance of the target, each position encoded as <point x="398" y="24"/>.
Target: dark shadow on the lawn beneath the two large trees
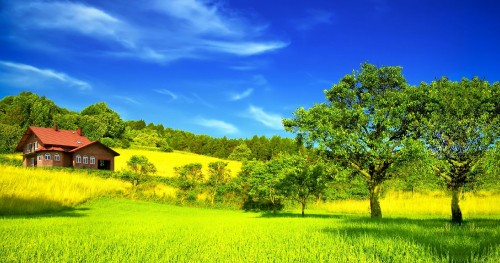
<point x="457" y="243"/>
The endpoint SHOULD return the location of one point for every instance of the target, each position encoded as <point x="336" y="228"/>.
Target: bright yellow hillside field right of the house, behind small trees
<point x="166" y="162"/>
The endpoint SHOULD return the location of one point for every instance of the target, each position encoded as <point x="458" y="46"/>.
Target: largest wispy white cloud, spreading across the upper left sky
<point x="201" y="28"/>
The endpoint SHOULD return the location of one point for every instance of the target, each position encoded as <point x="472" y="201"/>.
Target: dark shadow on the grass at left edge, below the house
<point x="17" y="207"/>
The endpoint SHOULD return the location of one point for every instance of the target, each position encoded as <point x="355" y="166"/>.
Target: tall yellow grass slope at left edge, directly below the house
<point x="32" y="190"/>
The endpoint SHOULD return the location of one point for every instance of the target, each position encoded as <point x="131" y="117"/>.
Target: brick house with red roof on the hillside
<point x="47" y="147"/>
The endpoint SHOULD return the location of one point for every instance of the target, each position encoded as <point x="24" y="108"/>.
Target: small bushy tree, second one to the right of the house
<point x="189" y="177"/>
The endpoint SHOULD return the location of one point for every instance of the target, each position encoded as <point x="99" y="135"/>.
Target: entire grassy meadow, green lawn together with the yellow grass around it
<point x="54" y="215"/>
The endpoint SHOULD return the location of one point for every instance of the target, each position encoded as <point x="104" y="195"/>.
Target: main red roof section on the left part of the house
<point x="54" y="137"/>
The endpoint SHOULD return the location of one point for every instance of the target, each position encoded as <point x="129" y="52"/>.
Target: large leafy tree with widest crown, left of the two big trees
<point x="364" y="126"/>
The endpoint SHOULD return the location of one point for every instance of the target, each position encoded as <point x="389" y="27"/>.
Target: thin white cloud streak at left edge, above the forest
<point x="23" y="74"/>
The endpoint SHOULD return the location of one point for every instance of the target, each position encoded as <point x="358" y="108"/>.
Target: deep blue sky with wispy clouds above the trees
<point x="233" y="67"/>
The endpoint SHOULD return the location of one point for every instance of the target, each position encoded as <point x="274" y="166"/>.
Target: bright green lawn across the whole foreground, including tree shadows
<point x="120" y="230"/>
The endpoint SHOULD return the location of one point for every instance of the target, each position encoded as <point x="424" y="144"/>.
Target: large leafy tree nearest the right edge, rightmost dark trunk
<point x="461" y="125"/>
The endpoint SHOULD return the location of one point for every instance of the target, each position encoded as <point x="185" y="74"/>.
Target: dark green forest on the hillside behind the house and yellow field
<point x="99" y="122"/>
